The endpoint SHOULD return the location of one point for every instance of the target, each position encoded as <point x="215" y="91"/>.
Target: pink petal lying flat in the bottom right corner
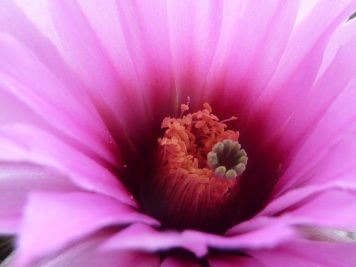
<point x="309" y="254"/>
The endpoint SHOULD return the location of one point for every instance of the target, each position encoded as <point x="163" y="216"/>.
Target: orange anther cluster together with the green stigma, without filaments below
<point x="198" y="144"/>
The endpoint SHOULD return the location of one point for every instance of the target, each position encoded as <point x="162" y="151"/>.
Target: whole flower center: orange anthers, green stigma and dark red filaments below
<point x="195" y="179"/>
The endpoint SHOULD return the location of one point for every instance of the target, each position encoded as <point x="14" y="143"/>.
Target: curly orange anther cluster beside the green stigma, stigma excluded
<point x="188" y="140"/>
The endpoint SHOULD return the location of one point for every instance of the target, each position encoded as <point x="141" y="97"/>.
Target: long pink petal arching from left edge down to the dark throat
<point x="26" y="143"/>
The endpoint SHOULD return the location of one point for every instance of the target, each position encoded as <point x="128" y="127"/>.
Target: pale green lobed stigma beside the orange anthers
<point x="227" y="159"/>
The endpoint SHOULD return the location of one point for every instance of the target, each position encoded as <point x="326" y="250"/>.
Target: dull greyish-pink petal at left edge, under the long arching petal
<point x="16" y="182"/>
